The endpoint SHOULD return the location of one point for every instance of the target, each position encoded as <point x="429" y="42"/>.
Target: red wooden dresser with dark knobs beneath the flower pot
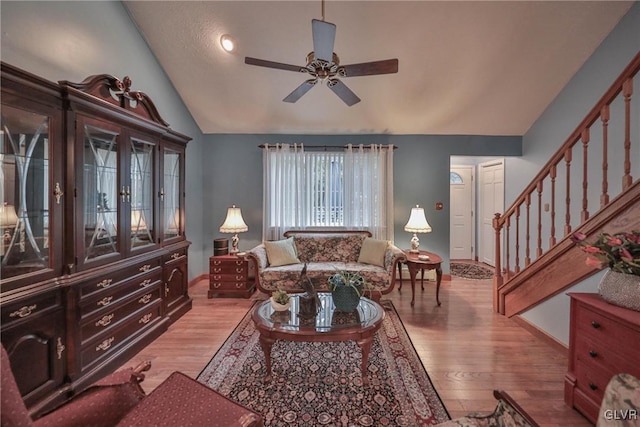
<point x="604" y="341"/>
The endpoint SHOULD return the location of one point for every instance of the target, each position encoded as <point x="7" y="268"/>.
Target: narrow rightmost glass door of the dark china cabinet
<point x="170" y="193"/>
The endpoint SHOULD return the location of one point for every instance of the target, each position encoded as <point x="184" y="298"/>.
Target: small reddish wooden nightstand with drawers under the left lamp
<point x="231" y="275"/>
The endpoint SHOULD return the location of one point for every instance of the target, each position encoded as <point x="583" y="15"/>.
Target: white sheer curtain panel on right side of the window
<point x="368" y="192"/>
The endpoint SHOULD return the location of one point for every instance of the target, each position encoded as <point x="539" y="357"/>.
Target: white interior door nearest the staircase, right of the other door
<point x="491" y="201"/>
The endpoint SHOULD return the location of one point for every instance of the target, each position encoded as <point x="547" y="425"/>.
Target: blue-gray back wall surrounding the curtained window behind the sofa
<point x="233" y="175"/>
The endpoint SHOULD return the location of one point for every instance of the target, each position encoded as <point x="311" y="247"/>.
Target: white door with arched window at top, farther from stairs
<point x="461" y="202"/>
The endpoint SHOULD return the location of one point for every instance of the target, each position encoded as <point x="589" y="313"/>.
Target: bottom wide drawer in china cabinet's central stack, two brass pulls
<point x="110" y="341"/>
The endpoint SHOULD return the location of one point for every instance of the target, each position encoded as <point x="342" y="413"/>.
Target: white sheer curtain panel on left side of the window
<point x="284" y="189"/>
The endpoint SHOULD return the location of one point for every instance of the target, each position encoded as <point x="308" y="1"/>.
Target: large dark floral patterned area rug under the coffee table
<point x="321" y="383"/>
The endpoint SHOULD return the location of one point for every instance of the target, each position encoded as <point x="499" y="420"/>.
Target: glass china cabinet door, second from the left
<point x="100" y="194"/>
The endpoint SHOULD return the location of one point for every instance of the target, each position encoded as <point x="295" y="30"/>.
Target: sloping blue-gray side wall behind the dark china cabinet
<point x="70" y="40"/>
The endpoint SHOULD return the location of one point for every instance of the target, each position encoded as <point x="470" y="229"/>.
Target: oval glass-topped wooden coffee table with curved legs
<point x="329" y="325"/>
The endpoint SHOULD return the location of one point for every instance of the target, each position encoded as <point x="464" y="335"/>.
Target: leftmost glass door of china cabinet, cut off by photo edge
<point x="24" y="192"/>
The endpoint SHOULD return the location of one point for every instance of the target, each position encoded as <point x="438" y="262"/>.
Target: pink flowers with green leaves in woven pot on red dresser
<point x="621" y="253"/>
